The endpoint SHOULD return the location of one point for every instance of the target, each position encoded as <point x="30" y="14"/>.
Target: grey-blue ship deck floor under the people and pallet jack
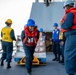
<point x="52" y="68"/>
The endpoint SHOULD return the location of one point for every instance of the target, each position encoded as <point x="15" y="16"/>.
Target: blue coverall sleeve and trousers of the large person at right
<point x="70" y="45"/>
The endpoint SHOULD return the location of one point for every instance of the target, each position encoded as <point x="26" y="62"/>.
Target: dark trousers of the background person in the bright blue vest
<point x="56" y="50"/>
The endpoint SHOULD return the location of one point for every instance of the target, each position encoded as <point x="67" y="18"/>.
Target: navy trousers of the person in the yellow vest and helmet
<point x="7" y="51"/>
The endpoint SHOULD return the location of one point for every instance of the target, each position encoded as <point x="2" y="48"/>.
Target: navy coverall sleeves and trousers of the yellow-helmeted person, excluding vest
<point x="8" y="47"/>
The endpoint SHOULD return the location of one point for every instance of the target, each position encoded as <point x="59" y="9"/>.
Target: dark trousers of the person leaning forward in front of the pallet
<point x="29" y="51"/>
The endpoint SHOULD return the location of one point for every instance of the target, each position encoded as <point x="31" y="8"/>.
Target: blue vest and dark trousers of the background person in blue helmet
<point x="56" y="45"/>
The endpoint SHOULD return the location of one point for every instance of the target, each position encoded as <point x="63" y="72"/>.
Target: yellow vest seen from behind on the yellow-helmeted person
<point x="6" y="34"/>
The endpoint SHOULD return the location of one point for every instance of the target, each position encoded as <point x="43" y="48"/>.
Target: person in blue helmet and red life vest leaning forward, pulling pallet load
<point x="29" y="37"/>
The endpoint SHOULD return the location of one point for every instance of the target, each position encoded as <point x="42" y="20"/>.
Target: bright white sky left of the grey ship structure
<point x="18" y="11"/>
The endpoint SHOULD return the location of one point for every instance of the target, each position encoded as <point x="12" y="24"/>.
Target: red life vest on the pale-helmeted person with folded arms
<point x="72" y="10"/>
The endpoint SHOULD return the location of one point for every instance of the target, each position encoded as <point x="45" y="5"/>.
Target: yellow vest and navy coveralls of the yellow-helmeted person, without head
<point x="7" y="43"/>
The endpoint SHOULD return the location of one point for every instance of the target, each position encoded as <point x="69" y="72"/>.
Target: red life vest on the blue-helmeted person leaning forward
<point x="31" y="38"/>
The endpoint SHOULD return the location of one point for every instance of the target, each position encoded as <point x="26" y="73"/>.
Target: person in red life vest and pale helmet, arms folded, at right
<point x="68" y="25"/>
